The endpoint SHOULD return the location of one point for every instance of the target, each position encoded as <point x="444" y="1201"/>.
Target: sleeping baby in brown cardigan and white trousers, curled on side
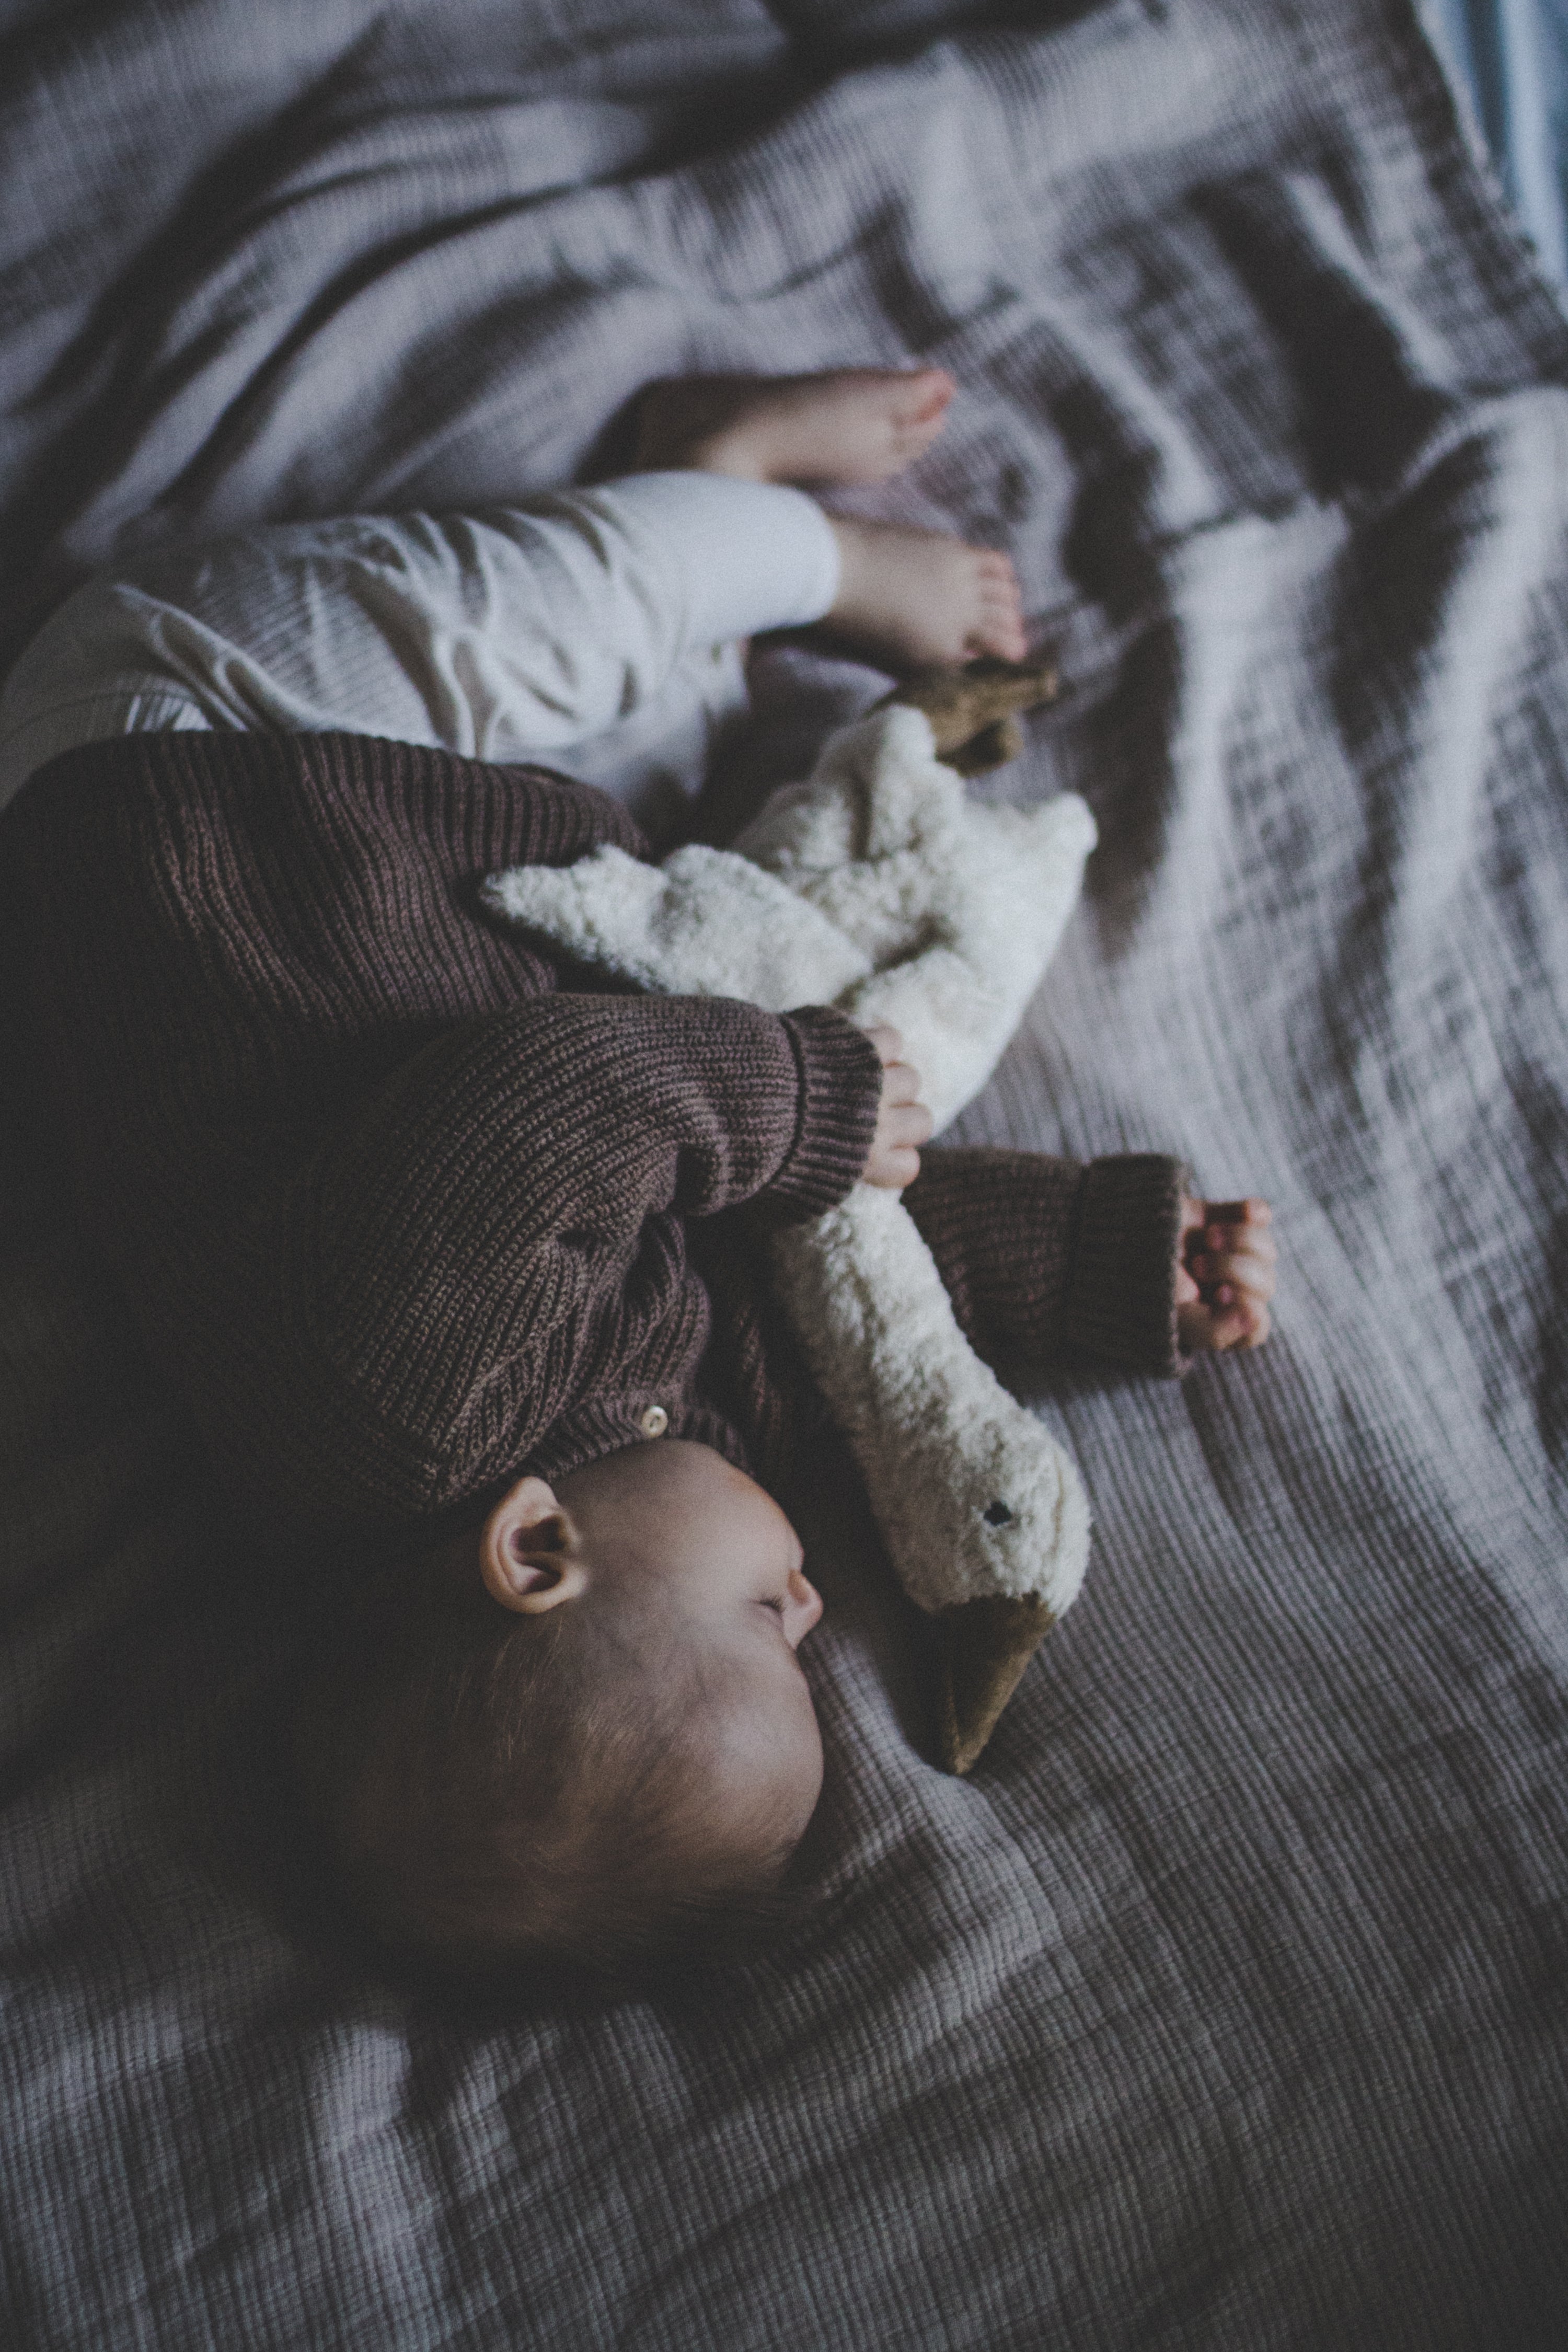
<point x="455" y="1252"/>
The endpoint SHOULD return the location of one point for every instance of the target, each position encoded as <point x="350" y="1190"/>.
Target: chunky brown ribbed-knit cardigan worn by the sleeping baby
<point x="410" y="1208"/>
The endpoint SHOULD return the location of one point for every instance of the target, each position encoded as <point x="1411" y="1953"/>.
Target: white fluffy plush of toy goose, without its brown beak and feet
<point x="878" y="888"/>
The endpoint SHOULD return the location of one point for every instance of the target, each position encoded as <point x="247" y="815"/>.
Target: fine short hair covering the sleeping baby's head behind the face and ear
<point x="523" y="1791"/>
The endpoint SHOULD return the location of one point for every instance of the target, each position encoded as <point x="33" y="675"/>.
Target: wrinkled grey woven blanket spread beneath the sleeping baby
<point x="1228" y="2003"/>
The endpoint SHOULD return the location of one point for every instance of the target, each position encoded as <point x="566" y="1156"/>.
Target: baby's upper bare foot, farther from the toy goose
<point x="852" y="425"/>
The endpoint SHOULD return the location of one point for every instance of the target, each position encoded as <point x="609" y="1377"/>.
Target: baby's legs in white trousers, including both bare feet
<point x="544" y="629"/>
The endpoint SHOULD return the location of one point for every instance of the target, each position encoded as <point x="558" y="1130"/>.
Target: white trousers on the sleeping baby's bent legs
<point x="502" y="636"/>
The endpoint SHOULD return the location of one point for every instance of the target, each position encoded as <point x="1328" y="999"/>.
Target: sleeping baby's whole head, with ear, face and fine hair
<point x="579" y="1737"/>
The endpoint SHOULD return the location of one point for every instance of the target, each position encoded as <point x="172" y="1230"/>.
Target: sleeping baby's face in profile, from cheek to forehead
<point x="709" y="1561"/>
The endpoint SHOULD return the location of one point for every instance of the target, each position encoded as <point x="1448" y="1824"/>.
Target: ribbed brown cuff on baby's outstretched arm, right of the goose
<point x="1120" y="1299"/>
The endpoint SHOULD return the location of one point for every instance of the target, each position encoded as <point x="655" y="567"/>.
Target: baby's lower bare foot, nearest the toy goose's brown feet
<point x="911" y="599"/>
